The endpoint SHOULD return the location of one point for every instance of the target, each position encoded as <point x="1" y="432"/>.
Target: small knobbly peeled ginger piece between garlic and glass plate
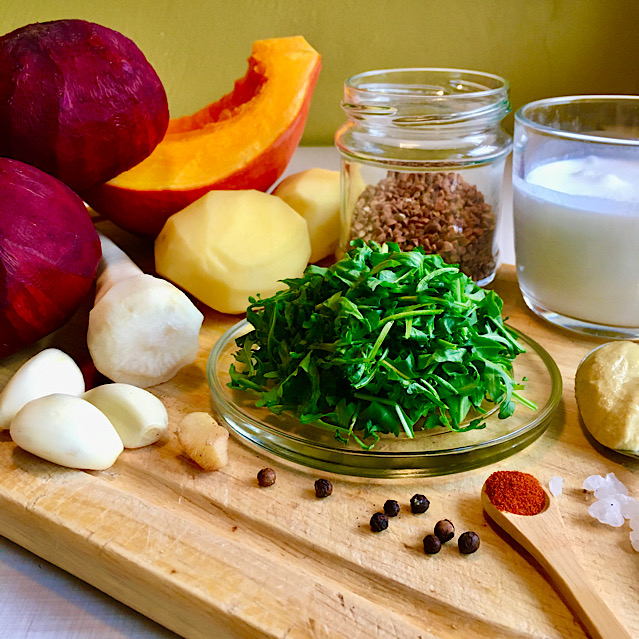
<point x="204" y="440"/>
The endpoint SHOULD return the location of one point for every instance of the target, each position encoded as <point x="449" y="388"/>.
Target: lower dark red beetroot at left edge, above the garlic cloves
<point x="49" y="254"/>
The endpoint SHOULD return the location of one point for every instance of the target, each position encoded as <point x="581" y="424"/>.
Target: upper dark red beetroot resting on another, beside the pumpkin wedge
<point x="79" y="101"/>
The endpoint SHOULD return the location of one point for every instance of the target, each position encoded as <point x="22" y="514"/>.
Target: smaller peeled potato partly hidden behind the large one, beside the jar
<point x="315" y="195"/>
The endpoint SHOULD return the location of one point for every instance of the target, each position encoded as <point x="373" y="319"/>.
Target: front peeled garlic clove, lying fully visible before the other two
<point x="67" y="430"/>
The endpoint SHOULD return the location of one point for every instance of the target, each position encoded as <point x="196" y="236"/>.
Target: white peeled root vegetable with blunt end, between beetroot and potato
<point x="142" y="329"/>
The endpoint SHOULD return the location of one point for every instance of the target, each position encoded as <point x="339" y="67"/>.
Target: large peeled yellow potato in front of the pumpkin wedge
<point x="231" y="245"/>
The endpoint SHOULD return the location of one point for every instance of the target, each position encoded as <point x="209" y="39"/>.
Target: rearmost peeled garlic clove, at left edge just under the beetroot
<point x="50" y="371"/>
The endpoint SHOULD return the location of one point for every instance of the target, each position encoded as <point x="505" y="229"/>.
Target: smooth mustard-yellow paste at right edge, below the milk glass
<point x="607" y="393"/>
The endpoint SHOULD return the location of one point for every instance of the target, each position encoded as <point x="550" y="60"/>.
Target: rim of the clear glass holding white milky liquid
<point x="522" y="118"/>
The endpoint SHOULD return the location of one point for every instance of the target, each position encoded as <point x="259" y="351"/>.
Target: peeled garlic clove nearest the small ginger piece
<point x="138" y="416"/>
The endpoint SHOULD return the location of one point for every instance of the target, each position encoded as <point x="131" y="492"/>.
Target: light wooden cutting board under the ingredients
<point x="214" y="555"/>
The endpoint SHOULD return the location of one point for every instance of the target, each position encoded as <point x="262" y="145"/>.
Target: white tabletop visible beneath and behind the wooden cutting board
<point x="38" y="600"/>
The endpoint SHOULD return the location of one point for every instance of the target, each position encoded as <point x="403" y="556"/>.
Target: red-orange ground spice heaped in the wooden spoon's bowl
<point x="515" y="492"/>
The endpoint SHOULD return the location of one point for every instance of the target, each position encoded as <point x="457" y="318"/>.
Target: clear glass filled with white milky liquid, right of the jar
<point x="576" y="212"/>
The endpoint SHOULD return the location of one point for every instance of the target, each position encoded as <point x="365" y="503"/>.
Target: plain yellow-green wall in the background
<point x="199" y="47"/>
